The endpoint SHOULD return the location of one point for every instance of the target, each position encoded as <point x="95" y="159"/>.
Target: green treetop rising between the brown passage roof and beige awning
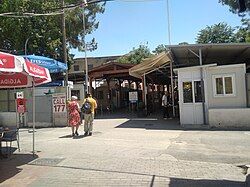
<point x="136" y="55"/>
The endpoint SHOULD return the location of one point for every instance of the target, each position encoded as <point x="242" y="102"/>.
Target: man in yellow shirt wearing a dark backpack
<point x="88" y="107"/>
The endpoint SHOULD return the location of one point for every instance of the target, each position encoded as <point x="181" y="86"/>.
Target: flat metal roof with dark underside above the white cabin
<point x="229" y="53"/>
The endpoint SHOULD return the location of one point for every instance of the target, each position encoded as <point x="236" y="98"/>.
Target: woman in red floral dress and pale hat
<point x="74" y="116"/>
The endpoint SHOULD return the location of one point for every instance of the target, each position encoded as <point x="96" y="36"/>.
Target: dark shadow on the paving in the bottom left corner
<point x="9" y="166"/>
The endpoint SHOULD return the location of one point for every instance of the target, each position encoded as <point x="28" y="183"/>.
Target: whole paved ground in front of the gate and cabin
<point x="129" y="152"/>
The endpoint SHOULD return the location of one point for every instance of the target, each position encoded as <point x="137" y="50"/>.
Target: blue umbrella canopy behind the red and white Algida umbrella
<point x="52" y="65"/>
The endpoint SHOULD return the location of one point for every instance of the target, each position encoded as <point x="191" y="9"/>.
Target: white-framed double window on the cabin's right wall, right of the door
<point x="224" y="85"/>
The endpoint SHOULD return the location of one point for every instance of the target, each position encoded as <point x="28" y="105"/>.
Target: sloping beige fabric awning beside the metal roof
<point x="150" y="64"/>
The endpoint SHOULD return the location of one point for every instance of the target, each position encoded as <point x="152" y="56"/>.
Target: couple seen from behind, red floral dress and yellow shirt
<point x="77" y="113"/>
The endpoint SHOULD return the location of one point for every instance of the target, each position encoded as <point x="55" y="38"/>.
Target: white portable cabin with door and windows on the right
<point x="225" y="99"/>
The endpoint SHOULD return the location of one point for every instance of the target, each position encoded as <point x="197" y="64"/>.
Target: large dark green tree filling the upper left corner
<point x="45" y="31"/>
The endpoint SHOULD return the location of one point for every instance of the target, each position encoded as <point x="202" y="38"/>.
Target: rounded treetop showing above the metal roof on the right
<point x="217" y="33"/>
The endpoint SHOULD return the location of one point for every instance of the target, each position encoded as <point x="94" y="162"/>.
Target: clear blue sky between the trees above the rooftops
<point x="126" y="24"/>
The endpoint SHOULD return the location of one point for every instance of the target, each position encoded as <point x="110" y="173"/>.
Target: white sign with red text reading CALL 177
<point x="59" y="103"/>
